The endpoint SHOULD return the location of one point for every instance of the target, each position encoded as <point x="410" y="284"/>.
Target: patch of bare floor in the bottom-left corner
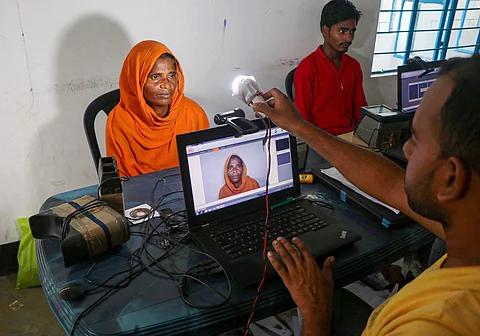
<point x="33" y="315"/>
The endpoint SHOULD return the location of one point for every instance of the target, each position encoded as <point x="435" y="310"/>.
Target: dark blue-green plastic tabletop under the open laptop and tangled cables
<point x="151" y="304"/>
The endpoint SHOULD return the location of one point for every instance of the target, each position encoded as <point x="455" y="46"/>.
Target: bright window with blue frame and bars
<point x="432" y="29"/>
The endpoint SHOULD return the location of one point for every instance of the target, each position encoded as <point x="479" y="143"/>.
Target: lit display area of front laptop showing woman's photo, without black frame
<point x="229" y="171"/>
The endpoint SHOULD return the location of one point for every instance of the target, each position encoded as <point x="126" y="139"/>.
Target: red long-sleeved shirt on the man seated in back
<point x="326" y="97"/>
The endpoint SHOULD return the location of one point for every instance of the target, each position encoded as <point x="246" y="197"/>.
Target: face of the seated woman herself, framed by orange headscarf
<point x="161" y="84"/>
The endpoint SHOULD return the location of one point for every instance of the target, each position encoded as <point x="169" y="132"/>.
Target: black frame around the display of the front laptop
<point x="194" y="221"/>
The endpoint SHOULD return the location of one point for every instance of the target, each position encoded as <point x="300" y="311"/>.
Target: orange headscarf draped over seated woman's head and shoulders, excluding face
<point x="136" y="136"/>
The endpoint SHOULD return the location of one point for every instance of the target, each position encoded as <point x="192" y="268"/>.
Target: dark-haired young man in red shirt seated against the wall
<point x="328" y="83"/>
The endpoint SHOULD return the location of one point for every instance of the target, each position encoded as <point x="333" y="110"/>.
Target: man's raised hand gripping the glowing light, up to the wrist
<point x="281" y="110"/>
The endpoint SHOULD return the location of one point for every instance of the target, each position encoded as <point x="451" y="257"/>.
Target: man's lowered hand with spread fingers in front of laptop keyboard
<point x="311" y="288"/>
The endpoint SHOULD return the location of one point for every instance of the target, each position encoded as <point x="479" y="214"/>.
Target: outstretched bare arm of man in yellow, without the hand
<point x="369" y="171"/>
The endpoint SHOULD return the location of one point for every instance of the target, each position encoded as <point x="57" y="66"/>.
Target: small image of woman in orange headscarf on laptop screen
<point x="236" y="179"/>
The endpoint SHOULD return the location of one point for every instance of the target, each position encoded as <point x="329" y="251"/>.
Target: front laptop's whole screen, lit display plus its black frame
<point x="222" y="174"/>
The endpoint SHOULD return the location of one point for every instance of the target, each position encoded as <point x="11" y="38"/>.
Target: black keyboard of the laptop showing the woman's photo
<point x="242" y="238"/>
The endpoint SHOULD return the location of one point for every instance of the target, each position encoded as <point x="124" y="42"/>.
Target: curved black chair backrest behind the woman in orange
<point x="105" y="103"/>
